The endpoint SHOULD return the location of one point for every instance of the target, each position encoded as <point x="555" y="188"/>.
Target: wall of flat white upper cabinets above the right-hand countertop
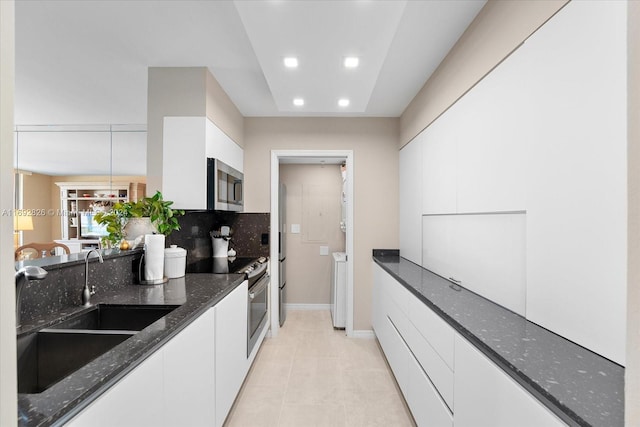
<point x="543" y="134"/>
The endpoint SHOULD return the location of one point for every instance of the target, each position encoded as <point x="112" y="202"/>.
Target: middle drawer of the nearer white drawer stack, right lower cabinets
<point x="440" y="374"/>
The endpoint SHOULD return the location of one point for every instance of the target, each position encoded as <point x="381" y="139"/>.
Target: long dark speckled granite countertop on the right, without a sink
<point x="581" y="387"/>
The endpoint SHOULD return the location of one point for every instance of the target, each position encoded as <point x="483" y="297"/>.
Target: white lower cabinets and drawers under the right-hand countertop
<point x="445" y="380"/>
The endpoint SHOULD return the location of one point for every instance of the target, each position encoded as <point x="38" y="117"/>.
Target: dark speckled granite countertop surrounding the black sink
<point x="195" y="293"/>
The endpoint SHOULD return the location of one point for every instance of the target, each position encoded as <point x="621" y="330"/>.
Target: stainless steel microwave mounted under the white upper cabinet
<point x="224" y="187"/>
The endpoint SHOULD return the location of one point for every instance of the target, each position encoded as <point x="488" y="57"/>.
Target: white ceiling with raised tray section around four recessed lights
<point x="85" y="62"/>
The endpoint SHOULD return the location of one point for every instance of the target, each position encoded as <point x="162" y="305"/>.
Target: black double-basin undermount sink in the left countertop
<point x="49" y="355"/>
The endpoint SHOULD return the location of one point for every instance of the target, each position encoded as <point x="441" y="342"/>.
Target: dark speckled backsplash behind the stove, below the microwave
<point x="247" y="239"/>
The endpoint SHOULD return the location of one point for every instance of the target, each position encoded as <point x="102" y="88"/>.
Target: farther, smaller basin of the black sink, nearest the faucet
<point x="116" y="317"/>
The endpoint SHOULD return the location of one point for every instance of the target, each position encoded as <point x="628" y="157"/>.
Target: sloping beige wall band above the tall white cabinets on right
<point x="499" y="28"/>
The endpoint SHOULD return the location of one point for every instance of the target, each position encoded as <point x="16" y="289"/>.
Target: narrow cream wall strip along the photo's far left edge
<point x="8" y="385"/>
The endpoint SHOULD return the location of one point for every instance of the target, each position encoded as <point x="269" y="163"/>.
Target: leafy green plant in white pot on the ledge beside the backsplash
<point x="154" y="211"/>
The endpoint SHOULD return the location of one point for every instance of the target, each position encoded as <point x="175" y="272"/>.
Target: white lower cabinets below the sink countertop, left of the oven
<point x="192" y="380"/>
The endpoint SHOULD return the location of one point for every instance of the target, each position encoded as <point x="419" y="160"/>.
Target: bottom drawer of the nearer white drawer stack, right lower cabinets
<point x="425" y="404"/>
